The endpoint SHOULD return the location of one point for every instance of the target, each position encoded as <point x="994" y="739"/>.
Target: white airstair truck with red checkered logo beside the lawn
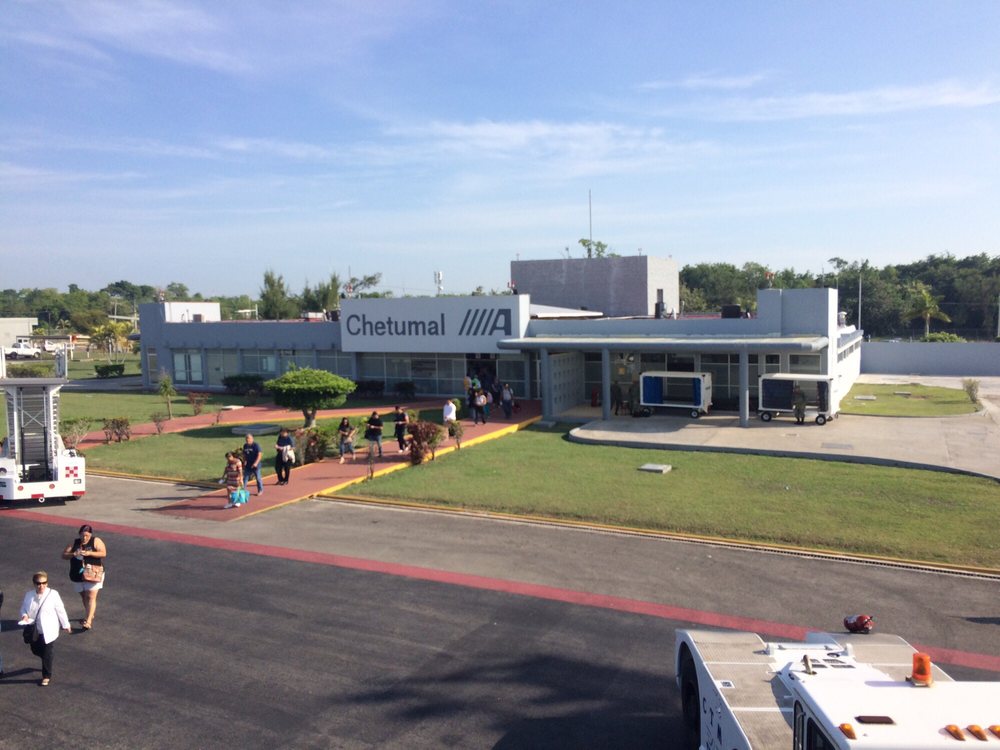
<point x="34" y="462"/>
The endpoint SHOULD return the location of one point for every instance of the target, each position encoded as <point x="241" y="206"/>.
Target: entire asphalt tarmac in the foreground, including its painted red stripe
<point x="332" y="625"/>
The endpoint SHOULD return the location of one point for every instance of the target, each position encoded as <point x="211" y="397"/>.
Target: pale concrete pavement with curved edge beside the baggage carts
<point x="965" y="444"/>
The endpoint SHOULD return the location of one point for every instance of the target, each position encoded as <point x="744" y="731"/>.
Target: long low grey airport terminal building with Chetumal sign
<point x="566" y="356"/>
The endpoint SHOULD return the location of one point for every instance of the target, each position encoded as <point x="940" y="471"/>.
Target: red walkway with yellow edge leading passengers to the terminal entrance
<point x="330" y="475"/>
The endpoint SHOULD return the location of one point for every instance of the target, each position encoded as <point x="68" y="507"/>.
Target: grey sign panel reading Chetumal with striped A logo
<point x="431" y="324"/>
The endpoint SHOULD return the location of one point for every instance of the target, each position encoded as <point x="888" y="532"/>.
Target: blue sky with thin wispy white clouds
<point x="204" y="142"/>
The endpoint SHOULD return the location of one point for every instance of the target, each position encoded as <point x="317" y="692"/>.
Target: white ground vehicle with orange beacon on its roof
<point x="831" y="692"/>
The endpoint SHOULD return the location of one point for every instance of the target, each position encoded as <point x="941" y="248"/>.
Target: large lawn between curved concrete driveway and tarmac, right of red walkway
<point x="922" y="515"/>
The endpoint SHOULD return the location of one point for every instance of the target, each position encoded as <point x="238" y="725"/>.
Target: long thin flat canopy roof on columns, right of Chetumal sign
<point x="675" y="343"/>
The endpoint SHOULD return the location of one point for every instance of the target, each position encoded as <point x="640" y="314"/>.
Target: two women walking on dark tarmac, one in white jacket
<point x="43" y="614"/>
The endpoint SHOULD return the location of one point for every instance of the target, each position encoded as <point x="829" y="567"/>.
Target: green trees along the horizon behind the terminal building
<point x="939" y="295"/>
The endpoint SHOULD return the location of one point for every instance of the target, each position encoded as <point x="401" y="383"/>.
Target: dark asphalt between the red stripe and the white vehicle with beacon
<point x="198" y="647"/>
